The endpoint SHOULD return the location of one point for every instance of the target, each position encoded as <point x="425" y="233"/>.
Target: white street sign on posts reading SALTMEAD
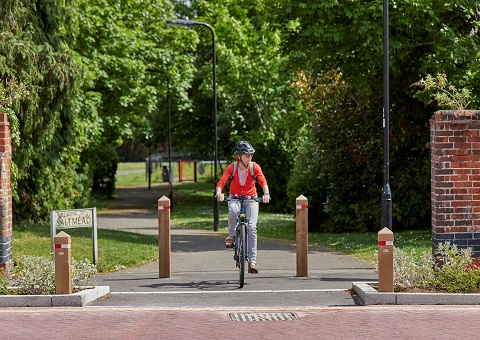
<point x="75" y="218"/>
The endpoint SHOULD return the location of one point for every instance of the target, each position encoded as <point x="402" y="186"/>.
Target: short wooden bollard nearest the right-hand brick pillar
<point x="385" y="260"/>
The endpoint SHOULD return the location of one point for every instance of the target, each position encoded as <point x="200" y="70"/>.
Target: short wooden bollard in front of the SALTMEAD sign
<point x="63" y="263"/>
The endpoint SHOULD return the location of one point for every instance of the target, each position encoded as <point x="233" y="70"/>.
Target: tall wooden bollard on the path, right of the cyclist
<point x="302" y="235"/>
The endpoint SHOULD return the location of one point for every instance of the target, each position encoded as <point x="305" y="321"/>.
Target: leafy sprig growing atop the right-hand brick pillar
<point x="445" y="92"/>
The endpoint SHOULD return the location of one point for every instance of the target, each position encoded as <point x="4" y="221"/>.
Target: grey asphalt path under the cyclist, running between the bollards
<point x="204" y="273"/>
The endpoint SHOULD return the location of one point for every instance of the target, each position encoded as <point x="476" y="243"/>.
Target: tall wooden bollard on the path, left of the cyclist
<point x="164" y="242"/>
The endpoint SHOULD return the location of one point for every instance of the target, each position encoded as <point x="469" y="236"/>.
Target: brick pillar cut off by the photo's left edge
<point x="5" y="193"/>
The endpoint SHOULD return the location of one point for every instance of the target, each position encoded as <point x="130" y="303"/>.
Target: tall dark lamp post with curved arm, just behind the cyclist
<point x="191" y="24"/>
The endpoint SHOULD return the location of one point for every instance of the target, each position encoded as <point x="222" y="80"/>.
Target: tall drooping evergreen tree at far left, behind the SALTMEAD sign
<point x="46" y="171"/>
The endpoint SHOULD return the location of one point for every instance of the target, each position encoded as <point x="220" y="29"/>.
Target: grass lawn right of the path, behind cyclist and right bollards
<point x="194" y="209"/>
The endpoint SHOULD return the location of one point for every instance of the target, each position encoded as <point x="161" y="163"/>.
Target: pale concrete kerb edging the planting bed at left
<point x="79" y="299"/>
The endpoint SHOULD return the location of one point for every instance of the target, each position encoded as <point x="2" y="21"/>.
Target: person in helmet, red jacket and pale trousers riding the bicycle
<point x="243" y="183"/>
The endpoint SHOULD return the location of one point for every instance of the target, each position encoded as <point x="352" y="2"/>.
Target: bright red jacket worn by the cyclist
<point x="249" y="188"/>
